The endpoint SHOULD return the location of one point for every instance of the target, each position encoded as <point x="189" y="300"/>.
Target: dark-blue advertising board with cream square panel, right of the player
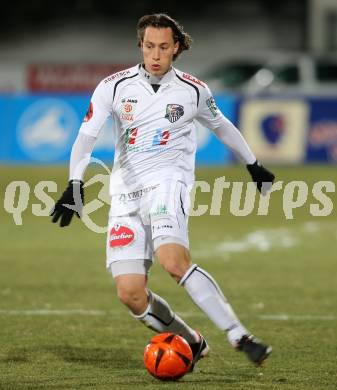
<point x="291" y="130"/>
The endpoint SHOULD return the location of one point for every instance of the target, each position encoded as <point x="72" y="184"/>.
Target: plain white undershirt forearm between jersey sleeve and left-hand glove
<point x="80" y="155"/>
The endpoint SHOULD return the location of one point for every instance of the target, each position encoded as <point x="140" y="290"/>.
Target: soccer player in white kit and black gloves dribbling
<point x="153" y="106"/>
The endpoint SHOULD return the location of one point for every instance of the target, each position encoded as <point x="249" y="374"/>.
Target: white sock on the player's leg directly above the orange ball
<point x="159" y="317"/>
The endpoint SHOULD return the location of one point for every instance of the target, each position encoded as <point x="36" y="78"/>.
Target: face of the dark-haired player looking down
<point x="158" y="49"/>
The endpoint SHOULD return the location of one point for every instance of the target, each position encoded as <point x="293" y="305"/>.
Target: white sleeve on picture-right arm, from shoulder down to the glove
<point x="211" y="117"/>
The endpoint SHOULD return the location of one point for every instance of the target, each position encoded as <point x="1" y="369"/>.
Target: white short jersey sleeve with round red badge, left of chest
<point x="99" y="109"/>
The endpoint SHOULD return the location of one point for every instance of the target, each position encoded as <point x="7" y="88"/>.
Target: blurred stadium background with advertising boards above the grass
<point x="271" y="65"/>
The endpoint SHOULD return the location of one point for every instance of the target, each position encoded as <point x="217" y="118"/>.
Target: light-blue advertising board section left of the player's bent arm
<point x="40" y="128"/>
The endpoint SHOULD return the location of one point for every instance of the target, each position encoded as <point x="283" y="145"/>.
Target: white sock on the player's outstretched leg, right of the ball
<point x="207" y="295"/>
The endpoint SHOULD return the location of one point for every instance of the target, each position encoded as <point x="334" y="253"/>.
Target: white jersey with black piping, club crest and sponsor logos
<point x="155" y="132"/>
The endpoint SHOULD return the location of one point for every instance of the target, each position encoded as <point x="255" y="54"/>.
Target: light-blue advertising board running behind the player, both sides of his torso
<point x="40" y="129"/>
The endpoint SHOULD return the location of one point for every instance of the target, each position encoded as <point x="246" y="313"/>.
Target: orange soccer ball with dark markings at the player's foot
<point x="168" y="356"/>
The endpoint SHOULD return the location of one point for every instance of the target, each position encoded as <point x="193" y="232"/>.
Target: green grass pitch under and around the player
<point x="43" y="267"/>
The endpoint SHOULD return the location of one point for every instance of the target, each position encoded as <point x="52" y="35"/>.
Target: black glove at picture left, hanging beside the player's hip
<point x="73" y="197"/>
